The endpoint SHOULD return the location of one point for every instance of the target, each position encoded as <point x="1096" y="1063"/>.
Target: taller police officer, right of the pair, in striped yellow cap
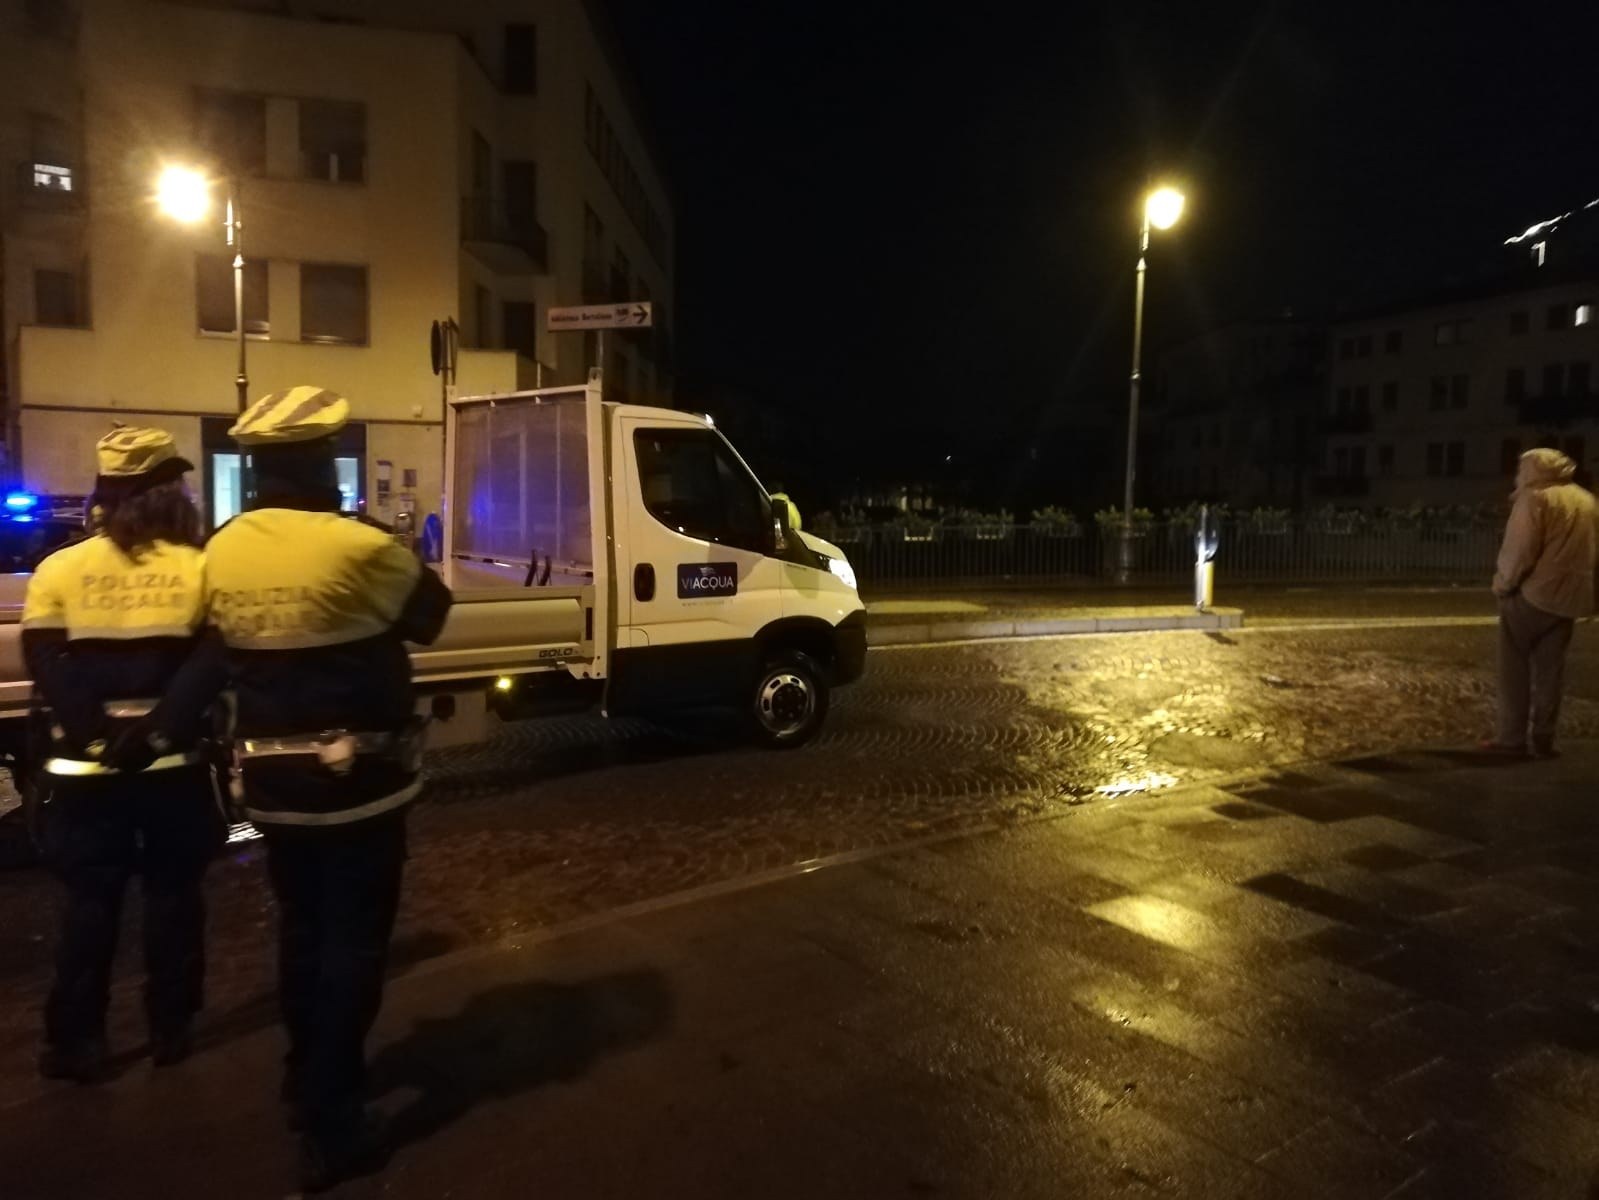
<point x="316" y="609"/>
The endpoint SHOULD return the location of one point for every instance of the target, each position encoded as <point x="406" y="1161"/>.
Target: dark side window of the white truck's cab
<point x="698" y="487"/>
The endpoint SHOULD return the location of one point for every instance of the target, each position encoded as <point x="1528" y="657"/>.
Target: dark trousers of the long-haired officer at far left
<point x="98" y="833"/>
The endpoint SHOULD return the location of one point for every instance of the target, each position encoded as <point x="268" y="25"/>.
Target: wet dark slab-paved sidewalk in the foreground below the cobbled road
<point x="1362" y="980"/>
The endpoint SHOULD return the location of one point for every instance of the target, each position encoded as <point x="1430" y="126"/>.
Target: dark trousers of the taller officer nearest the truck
<point x="338" y="890"/>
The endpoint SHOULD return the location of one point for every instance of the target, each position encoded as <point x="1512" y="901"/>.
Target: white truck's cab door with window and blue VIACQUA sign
<point x="695" y="575"/>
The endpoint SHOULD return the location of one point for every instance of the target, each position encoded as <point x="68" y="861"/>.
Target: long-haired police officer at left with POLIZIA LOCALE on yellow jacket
<point x="124" y="682"/>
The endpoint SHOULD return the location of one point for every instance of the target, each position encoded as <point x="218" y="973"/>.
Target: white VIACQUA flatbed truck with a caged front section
<point x="605" y="558"/>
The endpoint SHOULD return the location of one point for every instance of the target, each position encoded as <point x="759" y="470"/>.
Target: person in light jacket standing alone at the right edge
<point x="1545" y="582"/>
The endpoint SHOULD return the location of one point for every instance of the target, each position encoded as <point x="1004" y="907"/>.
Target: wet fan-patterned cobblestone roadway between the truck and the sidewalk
<point x="564" y="818"/>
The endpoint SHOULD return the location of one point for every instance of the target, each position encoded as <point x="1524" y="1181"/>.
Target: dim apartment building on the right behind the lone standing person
<point x="1430" y="404"/>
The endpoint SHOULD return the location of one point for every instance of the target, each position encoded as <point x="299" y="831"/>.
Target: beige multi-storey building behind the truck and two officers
<point x="393" y="169"/>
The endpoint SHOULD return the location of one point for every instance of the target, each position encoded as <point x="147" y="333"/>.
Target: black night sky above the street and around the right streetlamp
<point x="899" y="230"/>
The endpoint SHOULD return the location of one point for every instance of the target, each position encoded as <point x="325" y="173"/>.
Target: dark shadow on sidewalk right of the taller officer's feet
<point x="514" y="1039"/>
